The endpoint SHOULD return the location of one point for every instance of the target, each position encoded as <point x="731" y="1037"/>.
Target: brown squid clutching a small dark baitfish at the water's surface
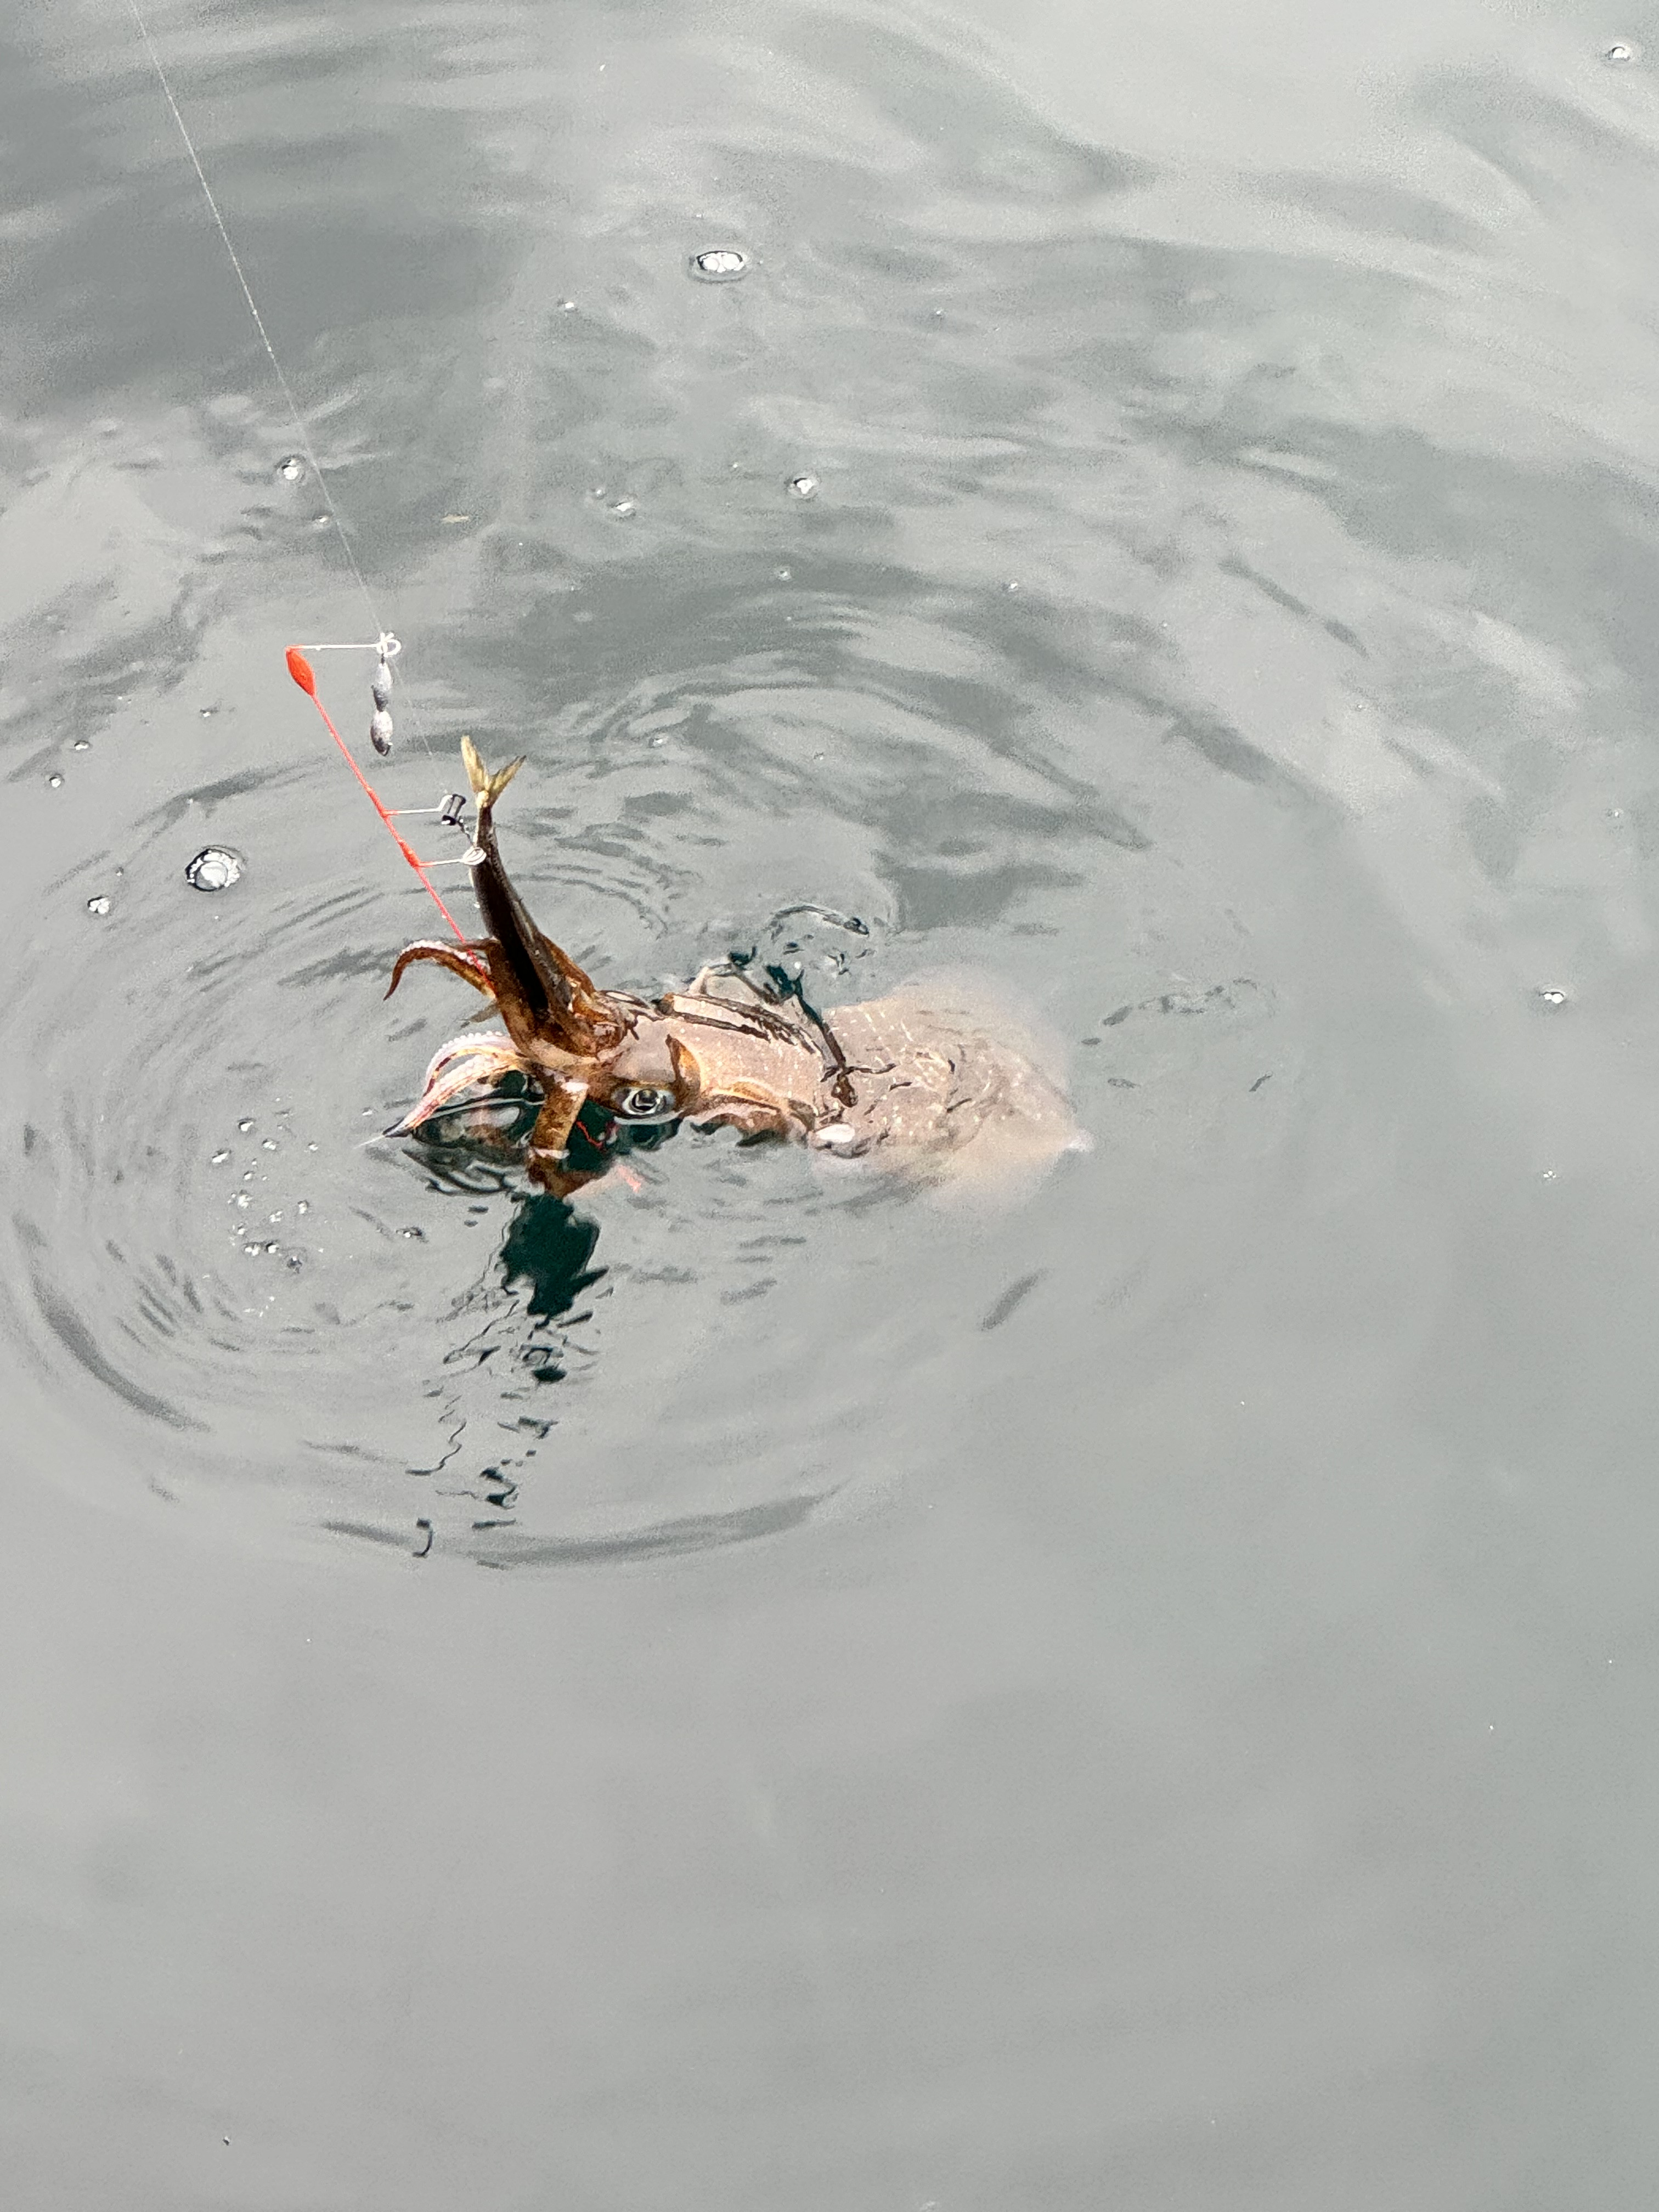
<point x="917" y="1078"/>
